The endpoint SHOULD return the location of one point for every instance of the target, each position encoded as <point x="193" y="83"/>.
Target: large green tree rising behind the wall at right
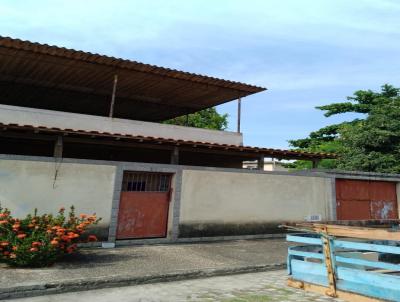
<point x="368" y="144"/>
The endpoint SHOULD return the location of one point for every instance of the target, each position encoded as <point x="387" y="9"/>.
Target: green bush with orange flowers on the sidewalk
<point x="38" y="241"/>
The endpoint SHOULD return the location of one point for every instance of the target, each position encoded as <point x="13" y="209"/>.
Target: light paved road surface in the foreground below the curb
<point x="255" y="287"/>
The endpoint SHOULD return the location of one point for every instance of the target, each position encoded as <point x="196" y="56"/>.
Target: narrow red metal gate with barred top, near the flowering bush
<point x="144" y="204"/>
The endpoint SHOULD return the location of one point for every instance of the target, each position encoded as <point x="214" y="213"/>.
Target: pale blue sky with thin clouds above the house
<point x="306" y="53"/>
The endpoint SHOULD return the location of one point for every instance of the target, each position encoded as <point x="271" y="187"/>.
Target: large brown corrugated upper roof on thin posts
<point x="57" y="78"/>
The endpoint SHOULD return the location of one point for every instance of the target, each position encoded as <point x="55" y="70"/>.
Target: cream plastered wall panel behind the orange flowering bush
<point x="25" y="185"/>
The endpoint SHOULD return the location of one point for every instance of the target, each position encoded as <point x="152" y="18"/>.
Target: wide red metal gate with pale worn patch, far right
<point x="363" y="200"/>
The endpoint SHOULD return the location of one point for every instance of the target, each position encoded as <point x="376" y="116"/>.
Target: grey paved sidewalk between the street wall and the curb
<point x="94" y="267"/>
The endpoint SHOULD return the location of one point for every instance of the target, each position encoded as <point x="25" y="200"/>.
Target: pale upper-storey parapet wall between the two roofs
<point x="66" y="120"/>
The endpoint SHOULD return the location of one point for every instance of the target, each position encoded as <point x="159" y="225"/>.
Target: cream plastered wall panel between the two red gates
<point x="234" y="197"/>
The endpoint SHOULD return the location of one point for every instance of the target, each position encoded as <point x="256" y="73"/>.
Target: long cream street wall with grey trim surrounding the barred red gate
<point x="205" y="201"/>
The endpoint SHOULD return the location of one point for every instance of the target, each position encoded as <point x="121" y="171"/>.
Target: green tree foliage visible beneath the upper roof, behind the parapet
<point x="208" y="118"/>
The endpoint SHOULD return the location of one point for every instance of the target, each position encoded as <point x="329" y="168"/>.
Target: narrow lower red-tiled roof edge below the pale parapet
<point x="267" y="152"/>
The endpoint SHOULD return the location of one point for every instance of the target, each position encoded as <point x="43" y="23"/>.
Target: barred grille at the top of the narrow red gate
<point x="146" y="182"/>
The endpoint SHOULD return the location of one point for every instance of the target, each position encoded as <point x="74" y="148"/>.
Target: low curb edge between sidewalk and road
<point x="119" y="281"/>
